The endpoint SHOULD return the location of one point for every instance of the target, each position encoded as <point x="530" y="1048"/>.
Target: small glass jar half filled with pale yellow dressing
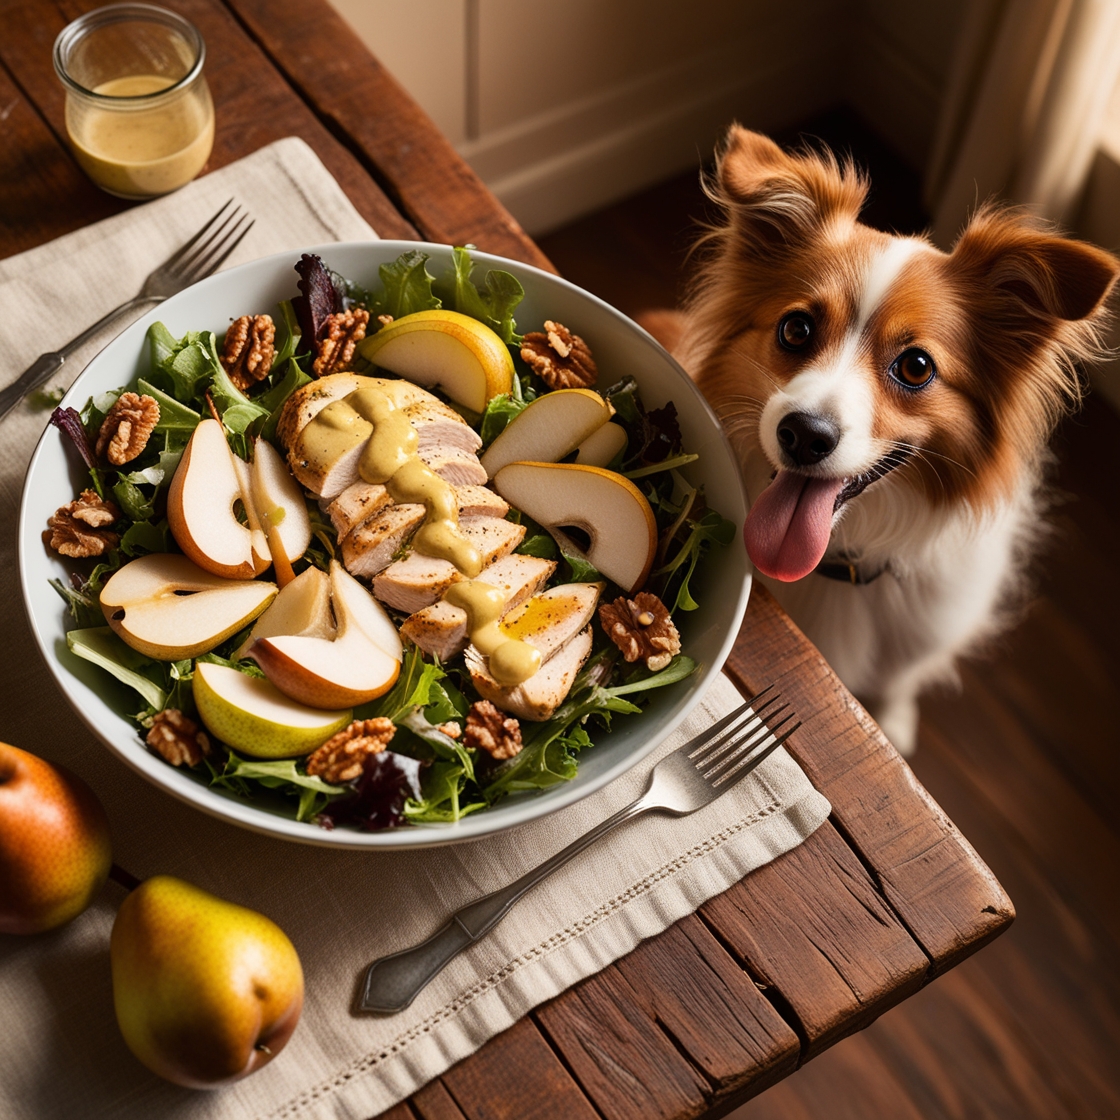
<point x="138" y="109"/>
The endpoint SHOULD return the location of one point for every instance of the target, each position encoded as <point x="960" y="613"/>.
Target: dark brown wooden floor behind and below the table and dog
<point x="1025" y="759"/>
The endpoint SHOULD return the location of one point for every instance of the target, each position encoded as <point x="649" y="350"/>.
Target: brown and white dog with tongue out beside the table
<point x="891" y="407"/>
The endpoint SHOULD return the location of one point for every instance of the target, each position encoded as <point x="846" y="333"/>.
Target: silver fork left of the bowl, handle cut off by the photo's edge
<point x="203" y="255"/>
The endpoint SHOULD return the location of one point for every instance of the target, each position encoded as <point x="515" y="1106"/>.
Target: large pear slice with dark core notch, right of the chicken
<point x="609" y="508"/>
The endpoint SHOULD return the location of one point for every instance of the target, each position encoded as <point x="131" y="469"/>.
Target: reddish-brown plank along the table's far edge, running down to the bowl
<point x="362" y="102"/>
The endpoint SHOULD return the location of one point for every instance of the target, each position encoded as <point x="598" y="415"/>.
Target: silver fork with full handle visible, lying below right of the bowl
<point x="689" y="779"/>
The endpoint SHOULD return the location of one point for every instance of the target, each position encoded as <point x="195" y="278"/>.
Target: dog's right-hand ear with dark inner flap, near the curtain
<point x="1051" y="277"/>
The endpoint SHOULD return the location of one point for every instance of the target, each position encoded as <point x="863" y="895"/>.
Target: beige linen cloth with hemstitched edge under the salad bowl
<point x="62" y="1056"/>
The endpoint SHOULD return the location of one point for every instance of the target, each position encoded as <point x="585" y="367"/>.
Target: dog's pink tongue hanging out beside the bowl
<point x="789" y="526"/>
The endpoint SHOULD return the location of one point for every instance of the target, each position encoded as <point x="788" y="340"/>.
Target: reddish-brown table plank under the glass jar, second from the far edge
<point x="255" y="105"/>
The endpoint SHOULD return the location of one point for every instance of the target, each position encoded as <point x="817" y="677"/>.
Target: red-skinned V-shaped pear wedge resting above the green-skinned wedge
<point x="360" y="664"/>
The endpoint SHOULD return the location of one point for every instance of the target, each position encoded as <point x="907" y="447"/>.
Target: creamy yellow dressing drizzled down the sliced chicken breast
<point x="372" y="417"/>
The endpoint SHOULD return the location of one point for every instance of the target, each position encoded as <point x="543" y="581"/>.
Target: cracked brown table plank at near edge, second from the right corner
<point x="814" y="928"/>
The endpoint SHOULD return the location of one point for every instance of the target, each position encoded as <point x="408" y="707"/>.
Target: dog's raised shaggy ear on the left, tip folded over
<point x="776" y="198"/>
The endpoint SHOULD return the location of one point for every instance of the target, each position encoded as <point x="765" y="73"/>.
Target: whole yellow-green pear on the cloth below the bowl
<point x="207" y="992"/>
